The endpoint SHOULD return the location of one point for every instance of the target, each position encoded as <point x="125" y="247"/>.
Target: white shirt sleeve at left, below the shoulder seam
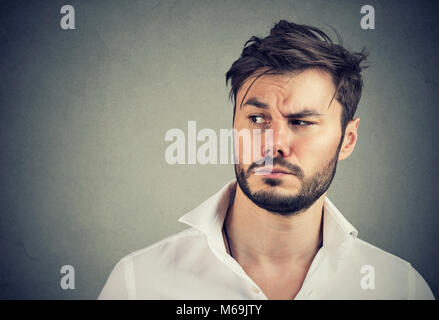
<point x="120" y="284"/>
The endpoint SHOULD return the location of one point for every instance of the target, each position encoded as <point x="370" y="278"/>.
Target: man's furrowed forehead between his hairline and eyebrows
<point x="308" y="89"/>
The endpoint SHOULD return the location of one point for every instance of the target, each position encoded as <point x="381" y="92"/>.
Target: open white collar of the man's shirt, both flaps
<point x="209" y="217"/>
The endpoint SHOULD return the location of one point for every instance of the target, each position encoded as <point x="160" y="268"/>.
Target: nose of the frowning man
<point x="281" y="141"/>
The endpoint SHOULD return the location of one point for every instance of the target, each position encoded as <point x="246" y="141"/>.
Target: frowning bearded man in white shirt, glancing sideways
<point x="273" y="233"/>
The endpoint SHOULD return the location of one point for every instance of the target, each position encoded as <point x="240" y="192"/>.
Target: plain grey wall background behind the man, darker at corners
<point x="84" y="112"/>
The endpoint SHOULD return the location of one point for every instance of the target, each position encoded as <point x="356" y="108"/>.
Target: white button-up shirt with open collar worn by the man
<point x="194" y="264"/>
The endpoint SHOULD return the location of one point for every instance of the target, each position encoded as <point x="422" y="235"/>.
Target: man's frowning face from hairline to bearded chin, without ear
<point x="306" y="131"/>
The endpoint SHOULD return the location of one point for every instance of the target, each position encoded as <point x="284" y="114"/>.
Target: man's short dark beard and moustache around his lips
<point x="312" y="188"/>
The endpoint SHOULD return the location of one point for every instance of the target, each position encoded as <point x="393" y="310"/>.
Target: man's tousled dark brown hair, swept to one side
<point x="293" y="47"/>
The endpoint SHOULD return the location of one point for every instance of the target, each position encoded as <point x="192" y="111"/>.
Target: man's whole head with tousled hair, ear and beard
<point x="305" y="89"/>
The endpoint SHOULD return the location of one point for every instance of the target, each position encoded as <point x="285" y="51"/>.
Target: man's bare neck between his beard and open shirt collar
<point x="259" y="237"/>
